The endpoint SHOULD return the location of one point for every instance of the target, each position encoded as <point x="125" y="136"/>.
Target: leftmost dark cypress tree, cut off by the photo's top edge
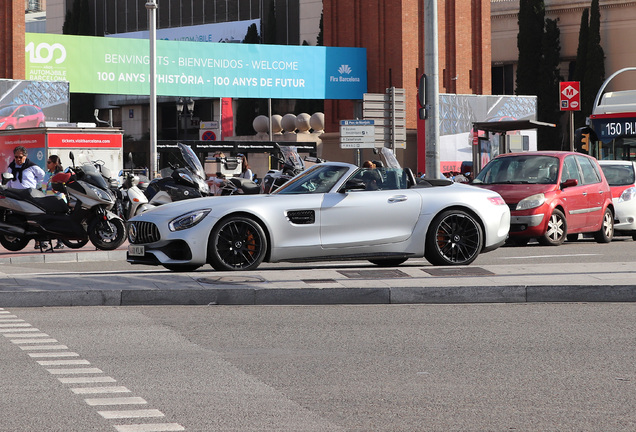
<point x="531" y="24"/>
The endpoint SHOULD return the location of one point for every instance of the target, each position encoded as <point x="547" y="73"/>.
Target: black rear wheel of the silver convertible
<point x="454" y="238"/>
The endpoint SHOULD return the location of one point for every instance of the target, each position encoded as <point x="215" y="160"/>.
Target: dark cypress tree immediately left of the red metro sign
<point x="548" y="109"/>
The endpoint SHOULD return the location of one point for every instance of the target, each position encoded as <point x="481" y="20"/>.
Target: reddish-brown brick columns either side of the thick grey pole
<point x="391" y="30"/>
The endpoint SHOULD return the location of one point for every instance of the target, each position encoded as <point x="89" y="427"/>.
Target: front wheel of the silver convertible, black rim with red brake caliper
<point x="237" y="243"/>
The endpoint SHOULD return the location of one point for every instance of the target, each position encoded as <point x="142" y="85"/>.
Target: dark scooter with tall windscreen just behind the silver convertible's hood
<point x="179" y="183"/>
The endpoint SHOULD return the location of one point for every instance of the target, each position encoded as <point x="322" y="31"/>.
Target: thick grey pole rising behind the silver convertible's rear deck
<point x="431" y="70"/>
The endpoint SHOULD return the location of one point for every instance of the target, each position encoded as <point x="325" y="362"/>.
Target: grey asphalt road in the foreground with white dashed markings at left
<point x="495" y="367"/>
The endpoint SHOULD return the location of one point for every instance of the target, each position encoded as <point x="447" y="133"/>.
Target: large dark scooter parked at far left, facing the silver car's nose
<point x="29" y="214"/>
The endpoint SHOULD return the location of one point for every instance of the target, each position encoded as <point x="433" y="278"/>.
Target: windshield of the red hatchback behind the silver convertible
<point x="521" y="169"/>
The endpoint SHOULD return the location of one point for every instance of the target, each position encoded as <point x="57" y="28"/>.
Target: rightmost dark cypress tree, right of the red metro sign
<point x="594" y="62"/>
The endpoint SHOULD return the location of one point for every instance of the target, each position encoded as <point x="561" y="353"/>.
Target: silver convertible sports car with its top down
<point x="330" y="211"/>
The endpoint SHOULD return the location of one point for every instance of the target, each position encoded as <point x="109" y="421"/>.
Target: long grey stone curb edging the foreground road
<point x="245" y="295"/>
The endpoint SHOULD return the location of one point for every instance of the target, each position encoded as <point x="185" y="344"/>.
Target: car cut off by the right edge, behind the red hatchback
<point x="621" y="176"/>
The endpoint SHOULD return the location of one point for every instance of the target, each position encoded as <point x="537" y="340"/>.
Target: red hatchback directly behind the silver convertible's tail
<point x="552" y="196"/>
